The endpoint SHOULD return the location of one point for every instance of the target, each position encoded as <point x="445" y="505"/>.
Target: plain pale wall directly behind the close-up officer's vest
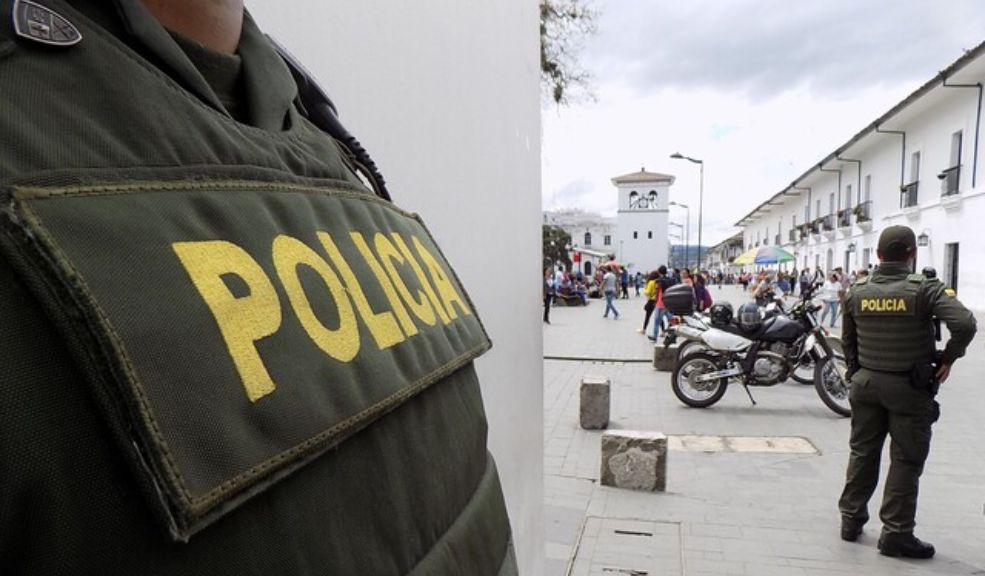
<point x="445" y="96"/>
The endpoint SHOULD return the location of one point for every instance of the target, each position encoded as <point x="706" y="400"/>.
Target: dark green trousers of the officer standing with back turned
<point x="887" y="403"/>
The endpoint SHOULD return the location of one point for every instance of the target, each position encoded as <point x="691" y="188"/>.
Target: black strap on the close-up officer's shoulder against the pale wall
<point x="317" y="107"/>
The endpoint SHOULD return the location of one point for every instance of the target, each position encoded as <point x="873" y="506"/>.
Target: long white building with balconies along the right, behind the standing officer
<point x="918" y="165"/>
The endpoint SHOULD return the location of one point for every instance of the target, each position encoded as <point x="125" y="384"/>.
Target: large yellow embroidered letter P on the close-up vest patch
<point x="242" y="320"/>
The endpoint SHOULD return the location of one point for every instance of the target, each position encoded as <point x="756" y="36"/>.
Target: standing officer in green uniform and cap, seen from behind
<point x="889" y="347"/>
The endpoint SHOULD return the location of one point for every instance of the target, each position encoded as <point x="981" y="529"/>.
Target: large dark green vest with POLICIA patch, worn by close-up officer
<point x="221" y="354"/>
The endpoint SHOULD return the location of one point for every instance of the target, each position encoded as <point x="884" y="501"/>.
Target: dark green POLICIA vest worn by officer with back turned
<point x="894" y="332"/>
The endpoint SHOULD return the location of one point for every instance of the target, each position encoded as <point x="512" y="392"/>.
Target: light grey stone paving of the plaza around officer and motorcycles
<point x="750" y="490"/>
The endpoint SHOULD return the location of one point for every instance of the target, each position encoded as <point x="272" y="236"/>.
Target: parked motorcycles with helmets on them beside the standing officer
<point x="752" y="346"/>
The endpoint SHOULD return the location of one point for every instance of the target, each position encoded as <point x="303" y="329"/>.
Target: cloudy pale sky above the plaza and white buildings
<point x="758" y="89"/>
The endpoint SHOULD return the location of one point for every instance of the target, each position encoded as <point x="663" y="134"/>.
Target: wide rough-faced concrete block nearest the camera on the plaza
<point x="634" y="460"/>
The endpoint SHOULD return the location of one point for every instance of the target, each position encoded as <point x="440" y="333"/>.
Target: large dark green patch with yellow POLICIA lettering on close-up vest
<point x="236" y="330"/>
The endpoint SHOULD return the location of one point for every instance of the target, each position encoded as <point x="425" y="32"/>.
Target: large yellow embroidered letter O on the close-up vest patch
<point x="341" y="343"/>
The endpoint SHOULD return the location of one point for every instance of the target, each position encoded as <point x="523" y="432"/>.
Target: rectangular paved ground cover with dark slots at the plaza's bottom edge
<point x="616" y="547"/>
